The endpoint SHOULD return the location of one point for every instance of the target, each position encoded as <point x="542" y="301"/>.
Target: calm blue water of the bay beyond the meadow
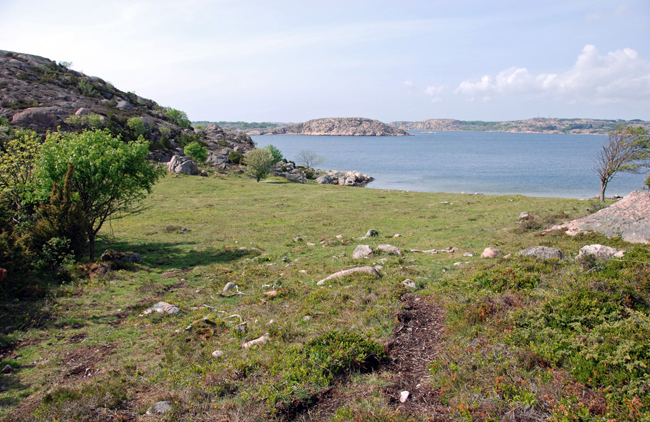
<point x="454" y="162"/>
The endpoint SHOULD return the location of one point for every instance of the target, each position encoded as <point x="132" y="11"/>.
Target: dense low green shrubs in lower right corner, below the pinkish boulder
<point x="599" y="330"/>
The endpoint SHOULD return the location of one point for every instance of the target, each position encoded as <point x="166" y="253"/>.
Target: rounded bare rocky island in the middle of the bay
<point x="338" y="126"/>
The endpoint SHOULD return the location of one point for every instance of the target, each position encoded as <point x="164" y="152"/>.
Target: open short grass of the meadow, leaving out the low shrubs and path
<point x="86" y="347"/>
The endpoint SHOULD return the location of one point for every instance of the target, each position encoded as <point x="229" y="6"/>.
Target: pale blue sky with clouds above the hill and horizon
<point x="296" y="60"/>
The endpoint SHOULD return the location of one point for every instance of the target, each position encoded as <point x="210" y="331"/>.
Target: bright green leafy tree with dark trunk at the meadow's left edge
<point x="110" y="176"/>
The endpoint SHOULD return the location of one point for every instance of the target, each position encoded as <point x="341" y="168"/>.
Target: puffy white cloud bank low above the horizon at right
<point x="618" y="76"/>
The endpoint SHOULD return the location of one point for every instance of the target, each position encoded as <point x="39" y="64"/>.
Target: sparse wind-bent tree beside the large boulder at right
<point x="627" y="149"/>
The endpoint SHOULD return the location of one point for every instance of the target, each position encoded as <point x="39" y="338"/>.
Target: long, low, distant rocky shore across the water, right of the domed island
<point x="536" y="125"/>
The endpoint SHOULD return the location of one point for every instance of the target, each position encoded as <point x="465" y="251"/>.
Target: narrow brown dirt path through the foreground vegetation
<point x="411" y="349"/>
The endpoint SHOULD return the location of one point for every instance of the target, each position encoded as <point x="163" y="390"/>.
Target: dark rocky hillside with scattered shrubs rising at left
<point x="40" y="94"/>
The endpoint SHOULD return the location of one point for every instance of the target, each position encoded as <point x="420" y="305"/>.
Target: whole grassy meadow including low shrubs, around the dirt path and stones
<point x="511" y="345"/>
